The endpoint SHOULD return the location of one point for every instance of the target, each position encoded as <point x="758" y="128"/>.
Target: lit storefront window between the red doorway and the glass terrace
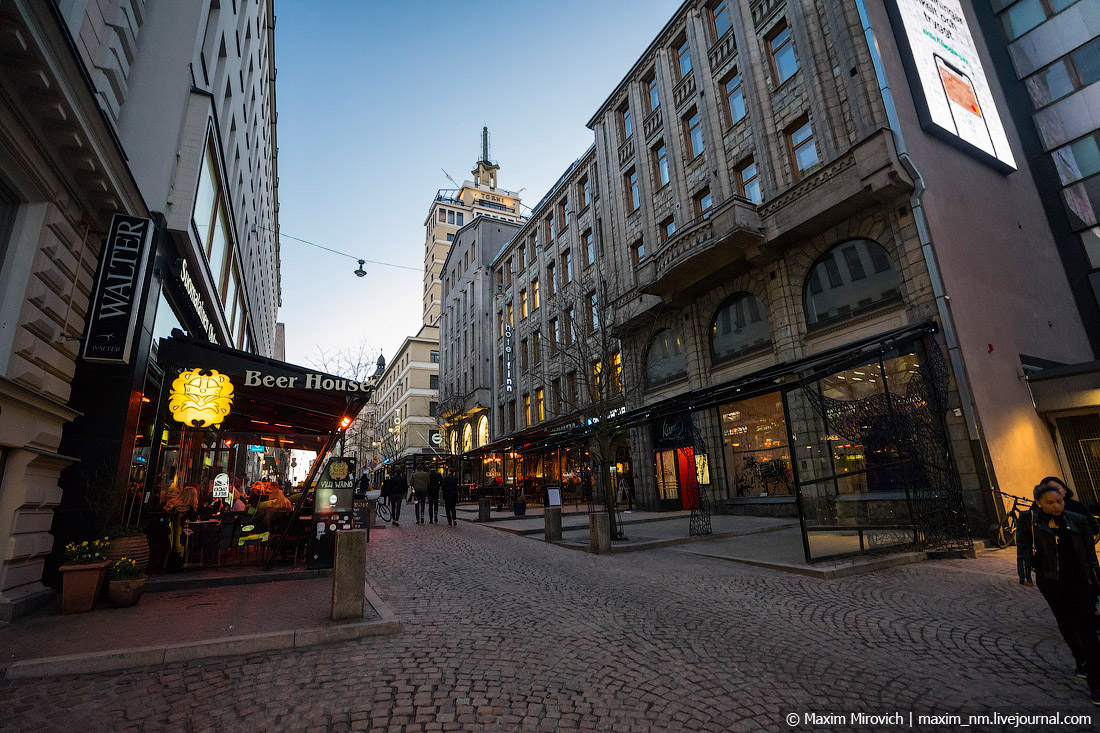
<point x="754" y="437"/>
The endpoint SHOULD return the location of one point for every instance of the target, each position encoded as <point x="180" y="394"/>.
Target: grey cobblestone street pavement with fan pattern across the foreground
<point x="503" y="633"/>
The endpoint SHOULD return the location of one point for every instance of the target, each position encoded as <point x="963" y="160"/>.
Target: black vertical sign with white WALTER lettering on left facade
<point x="109" y="332"/>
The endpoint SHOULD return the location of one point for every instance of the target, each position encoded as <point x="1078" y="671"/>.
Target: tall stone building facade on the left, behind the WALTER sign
<point x="153" y="110"/>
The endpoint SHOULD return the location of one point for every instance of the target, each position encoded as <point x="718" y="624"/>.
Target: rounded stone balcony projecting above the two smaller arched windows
<point x="707" y="248"/>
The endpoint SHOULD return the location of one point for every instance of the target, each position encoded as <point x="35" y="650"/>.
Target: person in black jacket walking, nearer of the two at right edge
<point x="1057" y="545"/>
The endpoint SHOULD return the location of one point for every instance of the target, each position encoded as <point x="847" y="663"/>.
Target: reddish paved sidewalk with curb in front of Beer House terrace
<point x="177" y="626"/>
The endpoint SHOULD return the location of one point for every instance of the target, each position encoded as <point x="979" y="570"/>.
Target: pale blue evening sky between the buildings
<point x="376" y="97"/>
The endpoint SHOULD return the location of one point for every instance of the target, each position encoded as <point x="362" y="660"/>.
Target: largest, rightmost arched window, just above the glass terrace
<point x="851" y="278"/>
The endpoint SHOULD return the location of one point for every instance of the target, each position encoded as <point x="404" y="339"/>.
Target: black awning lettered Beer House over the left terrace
<point x="270" y="397"/>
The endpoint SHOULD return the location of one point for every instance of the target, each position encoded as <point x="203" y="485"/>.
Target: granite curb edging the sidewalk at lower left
<point x="144" y="657"/>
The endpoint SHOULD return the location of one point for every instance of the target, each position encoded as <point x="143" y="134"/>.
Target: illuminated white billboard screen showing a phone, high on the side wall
<point x="950" y="86"/>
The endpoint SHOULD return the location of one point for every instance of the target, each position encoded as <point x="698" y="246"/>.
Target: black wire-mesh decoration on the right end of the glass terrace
<point x="914" y="425"/>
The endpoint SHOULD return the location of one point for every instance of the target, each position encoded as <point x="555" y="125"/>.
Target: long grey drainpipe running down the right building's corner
<point x="943" y="301"/>
